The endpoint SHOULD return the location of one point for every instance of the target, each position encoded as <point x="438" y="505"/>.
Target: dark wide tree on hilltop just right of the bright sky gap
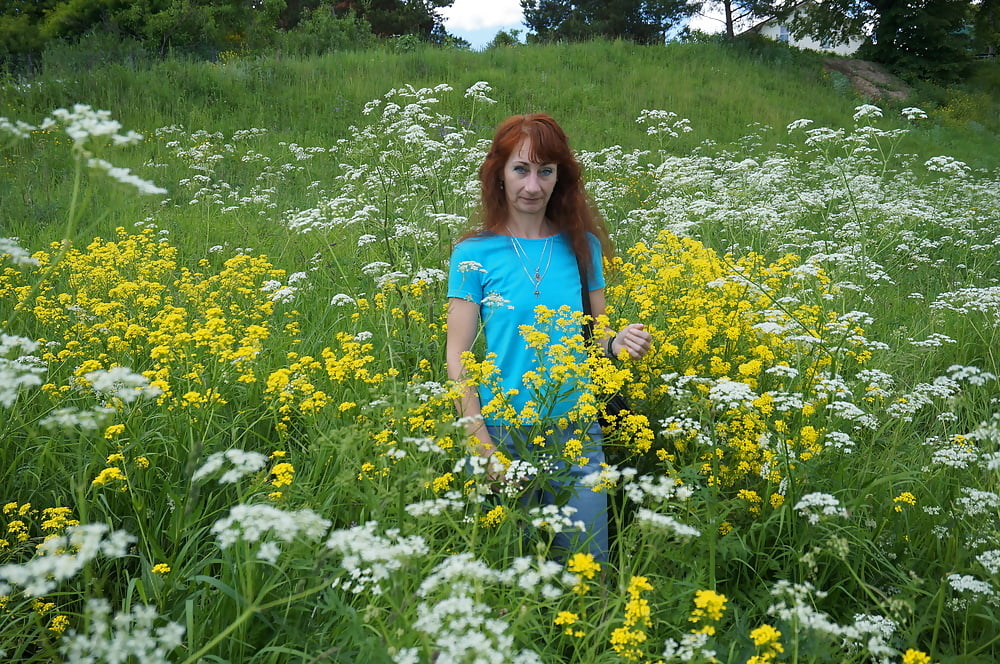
<point x="641" y="21"/>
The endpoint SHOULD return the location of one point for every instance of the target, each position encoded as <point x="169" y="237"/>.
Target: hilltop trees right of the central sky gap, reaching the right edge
<point x="930" y="39"/>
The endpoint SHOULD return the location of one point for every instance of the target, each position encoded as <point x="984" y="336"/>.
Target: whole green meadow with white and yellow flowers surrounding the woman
<point x="226" y="431"/>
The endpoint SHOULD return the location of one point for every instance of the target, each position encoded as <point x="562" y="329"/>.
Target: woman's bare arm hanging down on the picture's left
<point x="463" y="326"/>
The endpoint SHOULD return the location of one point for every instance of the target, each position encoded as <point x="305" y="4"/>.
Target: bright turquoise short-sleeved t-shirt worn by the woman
<point x="490" y="270"/>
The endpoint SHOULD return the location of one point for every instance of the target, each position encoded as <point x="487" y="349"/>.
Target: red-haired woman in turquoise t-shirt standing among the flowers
<point x="538" y="234"/>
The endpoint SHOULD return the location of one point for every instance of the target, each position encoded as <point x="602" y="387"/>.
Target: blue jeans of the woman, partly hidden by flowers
<point x="591" y="507"/>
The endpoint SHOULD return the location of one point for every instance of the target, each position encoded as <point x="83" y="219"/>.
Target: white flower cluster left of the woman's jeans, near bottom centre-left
<point x="370" y="559"/>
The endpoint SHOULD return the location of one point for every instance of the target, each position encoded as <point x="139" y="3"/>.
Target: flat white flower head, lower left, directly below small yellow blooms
<point x="254" y="523"/>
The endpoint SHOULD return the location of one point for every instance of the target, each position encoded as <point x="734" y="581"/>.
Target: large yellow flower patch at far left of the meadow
<point x="188" y="331"/>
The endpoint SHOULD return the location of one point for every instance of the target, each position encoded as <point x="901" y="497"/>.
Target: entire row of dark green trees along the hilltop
<point x="926" y="38"/>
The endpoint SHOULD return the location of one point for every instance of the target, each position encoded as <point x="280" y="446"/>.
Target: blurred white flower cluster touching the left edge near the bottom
<point x="62" y="557"/>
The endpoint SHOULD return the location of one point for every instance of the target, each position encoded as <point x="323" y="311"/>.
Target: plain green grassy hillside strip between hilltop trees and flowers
<point x="596" y="90"/>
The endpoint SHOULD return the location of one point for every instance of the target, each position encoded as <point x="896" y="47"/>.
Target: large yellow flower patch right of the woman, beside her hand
<point x="745" y="322"/>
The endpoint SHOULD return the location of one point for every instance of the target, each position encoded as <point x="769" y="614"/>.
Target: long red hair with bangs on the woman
<point x="569" y="208"/>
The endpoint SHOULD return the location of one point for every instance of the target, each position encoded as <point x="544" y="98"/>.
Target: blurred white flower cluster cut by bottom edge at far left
<point x="133" y="636"/>
